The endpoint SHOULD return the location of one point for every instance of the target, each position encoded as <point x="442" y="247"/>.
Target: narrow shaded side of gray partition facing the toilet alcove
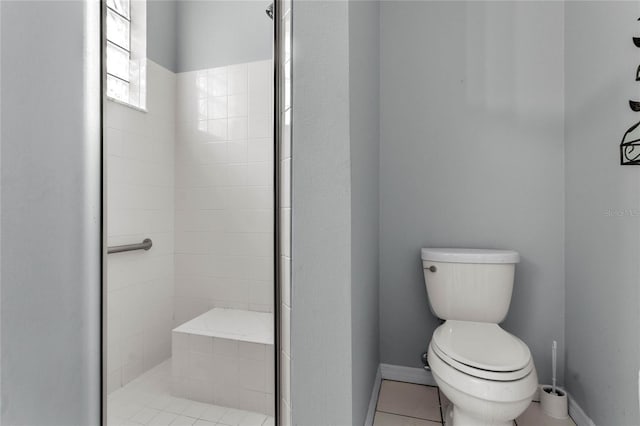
<point x="364" y="30"/>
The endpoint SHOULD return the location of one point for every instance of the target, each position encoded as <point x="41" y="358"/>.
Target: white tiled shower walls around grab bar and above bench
<point x="196" y="168"/>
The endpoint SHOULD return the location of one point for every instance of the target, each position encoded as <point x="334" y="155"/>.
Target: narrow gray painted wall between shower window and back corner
<point x="161" y="33"/>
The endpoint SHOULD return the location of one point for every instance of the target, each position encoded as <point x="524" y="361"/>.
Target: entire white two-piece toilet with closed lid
<point x="487" y="373"/>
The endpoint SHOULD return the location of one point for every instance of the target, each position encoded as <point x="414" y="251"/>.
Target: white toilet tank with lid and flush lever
<point x="469" y="284"/>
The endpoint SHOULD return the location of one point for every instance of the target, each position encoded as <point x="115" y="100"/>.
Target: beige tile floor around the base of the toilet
<point x="406" y="404"/>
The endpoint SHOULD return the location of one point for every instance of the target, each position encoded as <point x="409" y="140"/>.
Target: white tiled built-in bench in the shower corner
<point x="225" y="357"/>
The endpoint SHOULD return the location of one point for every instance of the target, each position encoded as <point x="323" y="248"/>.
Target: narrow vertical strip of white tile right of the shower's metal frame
<point x="284" y="62"/>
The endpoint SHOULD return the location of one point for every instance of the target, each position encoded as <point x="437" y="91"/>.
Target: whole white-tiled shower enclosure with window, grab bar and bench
<point x="190" y="301"/>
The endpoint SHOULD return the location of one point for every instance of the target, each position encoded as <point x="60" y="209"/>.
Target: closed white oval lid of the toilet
<point x="481" y="345"/>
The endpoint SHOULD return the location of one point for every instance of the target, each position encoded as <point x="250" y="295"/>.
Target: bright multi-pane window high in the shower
<point x="126" y="51"/>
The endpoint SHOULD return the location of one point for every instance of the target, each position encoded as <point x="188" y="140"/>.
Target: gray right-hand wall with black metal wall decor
<point x="602" y="251"/>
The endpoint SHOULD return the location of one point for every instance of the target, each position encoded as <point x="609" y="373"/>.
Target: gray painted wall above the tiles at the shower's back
<point x="217" y="33"/>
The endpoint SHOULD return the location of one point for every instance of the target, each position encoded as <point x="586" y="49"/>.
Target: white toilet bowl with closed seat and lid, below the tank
<point x="484" y="390"/>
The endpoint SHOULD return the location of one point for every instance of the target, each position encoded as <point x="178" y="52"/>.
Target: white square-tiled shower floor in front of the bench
<point x="147" y="401"/>
